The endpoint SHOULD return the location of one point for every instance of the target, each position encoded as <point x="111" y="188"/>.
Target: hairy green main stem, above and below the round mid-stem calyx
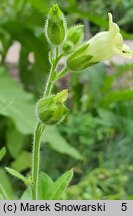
<point x="39" y="130"/>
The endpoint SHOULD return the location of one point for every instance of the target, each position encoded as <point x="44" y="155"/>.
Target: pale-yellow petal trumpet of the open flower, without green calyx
<point x="106" y="44"/>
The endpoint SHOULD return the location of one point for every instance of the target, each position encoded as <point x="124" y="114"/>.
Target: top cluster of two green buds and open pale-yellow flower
<point x="81" y="55"/>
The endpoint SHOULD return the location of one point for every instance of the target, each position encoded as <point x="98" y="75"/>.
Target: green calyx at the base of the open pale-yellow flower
<point x="79" y="60"/>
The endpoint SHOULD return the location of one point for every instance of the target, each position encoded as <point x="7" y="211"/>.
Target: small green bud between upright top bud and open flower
<point x="73" y="37"/>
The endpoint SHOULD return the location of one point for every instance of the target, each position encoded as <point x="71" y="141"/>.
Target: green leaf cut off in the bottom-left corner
<point x="6" y="184"/>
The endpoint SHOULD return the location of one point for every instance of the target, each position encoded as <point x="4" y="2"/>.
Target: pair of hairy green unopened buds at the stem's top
<point x="58" y="34"/>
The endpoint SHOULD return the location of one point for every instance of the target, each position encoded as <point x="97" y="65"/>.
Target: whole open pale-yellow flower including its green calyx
<point x="102" y="46"/>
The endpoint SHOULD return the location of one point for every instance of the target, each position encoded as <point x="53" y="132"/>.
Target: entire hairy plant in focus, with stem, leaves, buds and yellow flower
<point x="77" y="54"/>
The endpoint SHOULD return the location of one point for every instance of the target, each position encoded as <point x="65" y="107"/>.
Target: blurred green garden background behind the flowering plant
<point x="96" y="139"/>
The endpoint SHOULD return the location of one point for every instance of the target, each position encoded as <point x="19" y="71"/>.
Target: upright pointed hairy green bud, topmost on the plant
<point x="55" y="26"/>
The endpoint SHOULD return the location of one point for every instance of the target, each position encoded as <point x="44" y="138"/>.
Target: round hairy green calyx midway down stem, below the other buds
<point x="51" y="110"/>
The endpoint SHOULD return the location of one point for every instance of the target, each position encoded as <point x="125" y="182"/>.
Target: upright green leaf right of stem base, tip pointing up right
<point x="58" y="188"/>
